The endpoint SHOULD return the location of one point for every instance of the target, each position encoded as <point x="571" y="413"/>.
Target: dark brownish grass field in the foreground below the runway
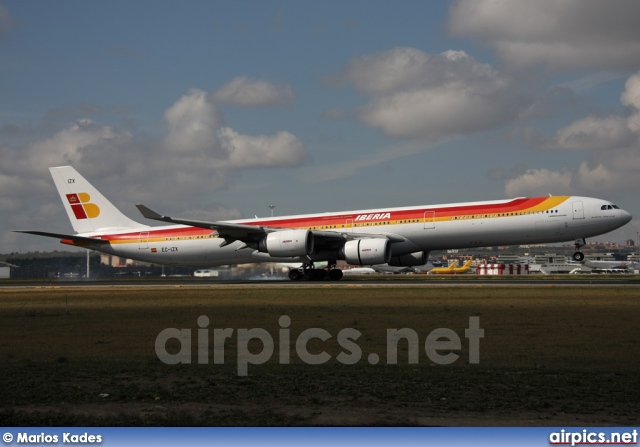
<point x="549" y="356"/>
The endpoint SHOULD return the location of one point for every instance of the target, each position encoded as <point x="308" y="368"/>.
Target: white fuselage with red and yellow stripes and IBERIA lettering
<point x="425" y="228"/>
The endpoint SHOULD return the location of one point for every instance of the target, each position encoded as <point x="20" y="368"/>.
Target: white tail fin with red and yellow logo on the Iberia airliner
<point x="88" y="210"/>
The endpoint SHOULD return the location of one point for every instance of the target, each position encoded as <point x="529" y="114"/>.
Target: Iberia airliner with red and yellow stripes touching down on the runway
<point x="399" y="237"/>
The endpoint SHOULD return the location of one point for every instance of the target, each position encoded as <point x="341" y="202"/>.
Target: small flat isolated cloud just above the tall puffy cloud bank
<point x="247" y="92"/>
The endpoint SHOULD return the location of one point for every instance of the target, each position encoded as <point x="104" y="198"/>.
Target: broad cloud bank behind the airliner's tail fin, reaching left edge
<point x="198" y="156"/>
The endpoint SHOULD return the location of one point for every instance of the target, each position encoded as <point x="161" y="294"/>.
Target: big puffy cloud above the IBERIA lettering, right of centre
<point x="431" y="96"/>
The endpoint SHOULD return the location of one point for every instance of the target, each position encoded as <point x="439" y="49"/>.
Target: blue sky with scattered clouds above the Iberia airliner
<point x="217" y="109"/>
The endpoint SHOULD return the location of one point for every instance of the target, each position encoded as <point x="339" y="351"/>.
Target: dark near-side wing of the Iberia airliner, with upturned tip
<point x="251" y="233"/>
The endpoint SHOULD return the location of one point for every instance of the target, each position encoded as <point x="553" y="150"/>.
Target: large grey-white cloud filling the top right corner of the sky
<point x="561" y="35"/>
